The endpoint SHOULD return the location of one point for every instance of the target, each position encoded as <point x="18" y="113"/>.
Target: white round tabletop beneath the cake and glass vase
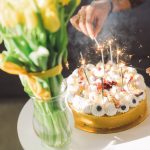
<point x="137" y="137"/>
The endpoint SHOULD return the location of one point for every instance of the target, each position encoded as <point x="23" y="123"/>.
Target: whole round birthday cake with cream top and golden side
<point x="106" y="97"/>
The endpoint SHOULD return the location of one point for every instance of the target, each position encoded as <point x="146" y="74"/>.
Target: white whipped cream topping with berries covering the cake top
<point x="95" y="92"/>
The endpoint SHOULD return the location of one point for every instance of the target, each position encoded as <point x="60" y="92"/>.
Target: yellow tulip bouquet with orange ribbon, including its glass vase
<point x="34" y="33"/>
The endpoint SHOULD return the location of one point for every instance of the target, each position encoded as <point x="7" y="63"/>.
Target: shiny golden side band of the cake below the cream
<point x="106" y="125"/>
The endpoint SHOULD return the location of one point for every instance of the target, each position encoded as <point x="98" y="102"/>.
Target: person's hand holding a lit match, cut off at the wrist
<point x="90" y="18"/>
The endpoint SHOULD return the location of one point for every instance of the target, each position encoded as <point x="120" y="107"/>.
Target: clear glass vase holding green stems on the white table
<point x="51" y="122"/>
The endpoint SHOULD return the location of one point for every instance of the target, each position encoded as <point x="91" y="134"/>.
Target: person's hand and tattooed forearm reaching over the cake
<point x="90" y="19"/>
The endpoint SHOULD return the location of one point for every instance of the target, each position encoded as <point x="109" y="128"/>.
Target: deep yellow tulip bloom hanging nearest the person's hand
<point x="50" y="18"/>
